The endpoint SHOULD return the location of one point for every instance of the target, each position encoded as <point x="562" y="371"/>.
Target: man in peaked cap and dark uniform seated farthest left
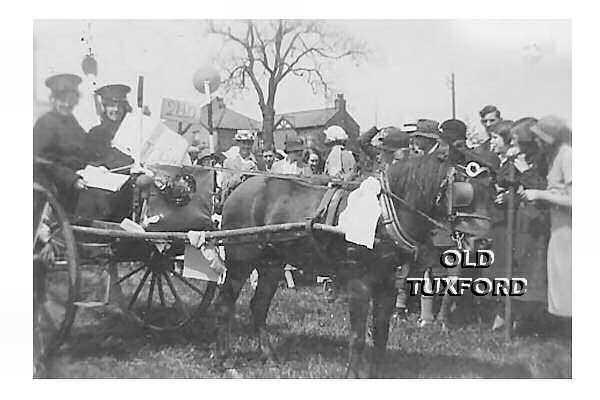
<point x="59" y="138"/>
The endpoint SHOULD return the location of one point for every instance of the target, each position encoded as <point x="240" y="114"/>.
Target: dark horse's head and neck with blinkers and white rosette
<point x="437" y="192"/>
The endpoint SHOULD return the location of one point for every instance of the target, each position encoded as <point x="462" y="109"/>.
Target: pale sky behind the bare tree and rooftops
<point x="406" y="78"/>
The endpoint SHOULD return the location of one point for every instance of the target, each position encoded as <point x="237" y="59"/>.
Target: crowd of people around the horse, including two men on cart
<point x="540" y="150"/>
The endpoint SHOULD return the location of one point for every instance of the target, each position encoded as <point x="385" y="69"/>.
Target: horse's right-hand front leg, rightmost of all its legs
<point x="384" y="296"/>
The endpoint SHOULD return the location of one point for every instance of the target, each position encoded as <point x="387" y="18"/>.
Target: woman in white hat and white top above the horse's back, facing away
<point x="340" y="162"/>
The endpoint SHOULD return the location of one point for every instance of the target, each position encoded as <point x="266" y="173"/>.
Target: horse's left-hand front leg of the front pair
<point x="358" y="303"/>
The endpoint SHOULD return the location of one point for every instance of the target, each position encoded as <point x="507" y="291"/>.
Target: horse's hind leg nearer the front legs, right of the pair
<point x="268" y="281"/>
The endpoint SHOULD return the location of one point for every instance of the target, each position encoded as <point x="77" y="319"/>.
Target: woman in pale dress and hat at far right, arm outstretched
<point x="554" y="138"/>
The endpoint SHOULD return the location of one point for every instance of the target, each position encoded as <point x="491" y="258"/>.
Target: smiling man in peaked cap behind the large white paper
<point x="113" y="110"/>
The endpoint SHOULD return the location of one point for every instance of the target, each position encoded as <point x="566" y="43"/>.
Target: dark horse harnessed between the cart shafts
<point x="367" y="274"/>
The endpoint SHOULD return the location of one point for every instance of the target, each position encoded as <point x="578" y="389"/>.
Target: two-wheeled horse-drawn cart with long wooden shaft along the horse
<point x="82" y="262"/>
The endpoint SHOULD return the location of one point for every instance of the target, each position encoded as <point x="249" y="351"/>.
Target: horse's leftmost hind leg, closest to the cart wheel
<point x="237" y="274"/>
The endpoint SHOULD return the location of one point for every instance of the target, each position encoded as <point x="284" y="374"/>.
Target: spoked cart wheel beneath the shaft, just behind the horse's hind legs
<point x="156" y="294"/>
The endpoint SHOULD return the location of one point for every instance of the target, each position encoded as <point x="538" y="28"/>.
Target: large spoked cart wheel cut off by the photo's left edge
<point x="55" y="274"/>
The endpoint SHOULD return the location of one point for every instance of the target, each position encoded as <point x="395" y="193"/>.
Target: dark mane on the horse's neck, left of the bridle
<point x="417" y="180"/>
